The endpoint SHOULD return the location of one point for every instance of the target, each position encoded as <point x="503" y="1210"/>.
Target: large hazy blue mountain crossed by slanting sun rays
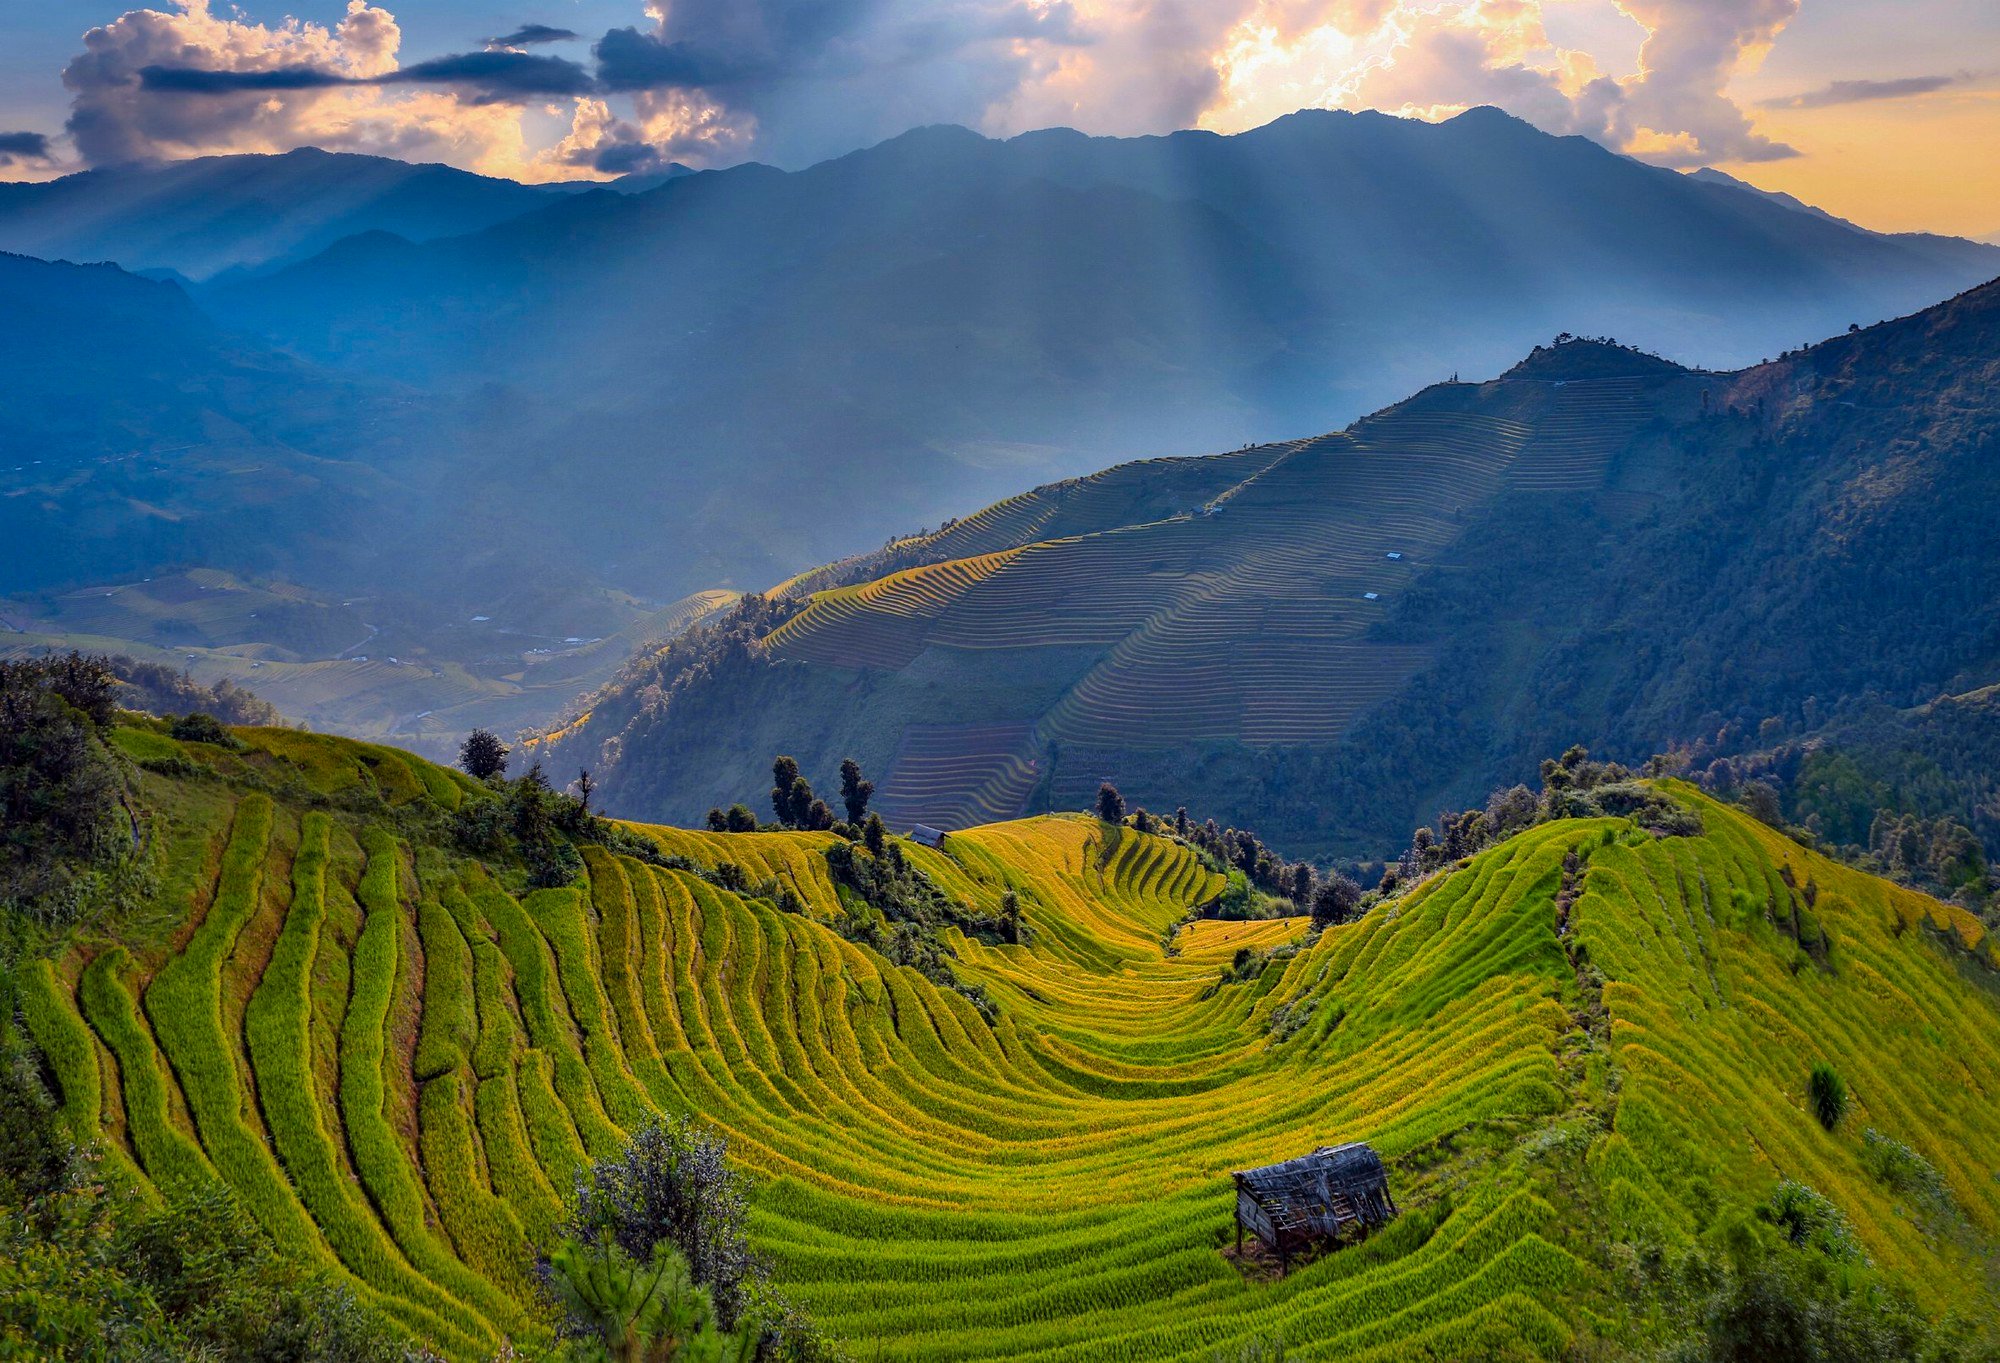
<point x="935" y="323"/>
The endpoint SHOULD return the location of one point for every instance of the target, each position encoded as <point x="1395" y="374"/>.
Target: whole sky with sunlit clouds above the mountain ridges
<point x="1879" y="111"/>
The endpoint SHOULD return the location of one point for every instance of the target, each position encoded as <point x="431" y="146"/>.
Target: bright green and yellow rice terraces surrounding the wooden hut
<point x="1581" y="1054"/>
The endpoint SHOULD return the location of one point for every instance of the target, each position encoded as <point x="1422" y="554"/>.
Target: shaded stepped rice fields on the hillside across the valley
<point x="1223" y="611"/>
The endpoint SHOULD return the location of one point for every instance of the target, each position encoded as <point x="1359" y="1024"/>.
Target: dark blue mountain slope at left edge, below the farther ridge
<point x="139" y="435"/>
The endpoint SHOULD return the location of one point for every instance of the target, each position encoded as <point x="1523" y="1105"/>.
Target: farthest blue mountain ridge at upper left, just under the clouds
<point x="203" y="217"/>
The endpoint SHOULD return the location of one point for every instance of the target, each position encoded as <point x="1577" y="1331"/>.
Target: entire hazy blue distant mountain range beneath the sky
<point x="573" y="409"/>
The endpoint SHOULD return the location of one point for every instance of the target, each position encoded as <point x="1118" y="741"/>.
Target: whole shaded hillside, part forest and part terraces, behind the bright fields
<point x="1329" y="641"/>
